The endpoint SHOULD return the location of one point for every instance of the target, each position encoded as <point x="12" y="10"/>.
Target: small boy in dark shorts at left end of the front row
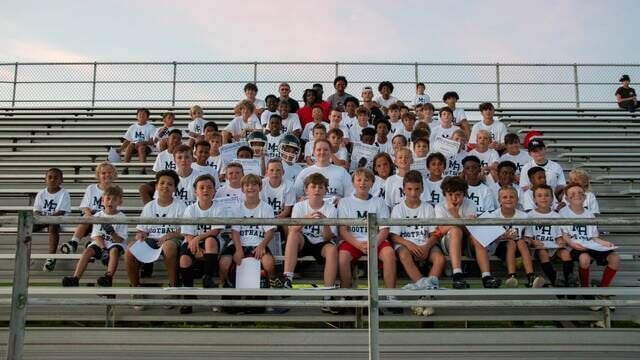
<point x="108" y="241"/>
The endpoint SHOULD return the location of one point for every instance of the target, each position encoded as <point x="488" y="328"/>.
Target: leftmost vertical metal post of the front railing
<point x="22" y="260"/>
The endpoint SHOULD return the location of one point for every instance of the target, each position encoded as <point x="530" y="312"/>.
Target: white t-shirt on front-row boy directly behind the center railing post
<point x="353" y="207"/>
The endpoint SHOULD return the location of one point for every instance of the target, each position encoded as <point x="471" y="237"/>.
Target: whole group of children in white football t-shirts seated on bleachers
<point x="489" y="176"/>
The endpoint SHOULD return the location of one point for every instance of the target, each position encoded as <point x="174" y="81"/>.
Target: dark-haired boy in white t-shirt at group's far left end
<point x="52" y="201"/>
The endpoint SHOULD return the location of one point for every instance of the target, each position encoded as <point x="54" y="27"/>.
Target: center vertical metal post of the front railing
<point x="372" y="262"/>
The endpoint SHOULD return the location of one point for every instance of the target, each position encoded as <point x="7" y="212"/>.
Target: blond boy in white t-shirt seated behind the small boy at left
<point x="91" y="204"/>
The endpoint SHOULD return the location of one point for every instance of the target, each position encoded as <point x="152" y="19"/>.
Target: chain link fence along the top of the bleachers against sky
<point x="221" y="84"/>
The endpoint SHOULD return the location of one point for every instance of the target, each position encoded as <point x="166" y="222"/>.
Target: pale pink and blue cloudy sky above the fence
<point x="331" y="30"/>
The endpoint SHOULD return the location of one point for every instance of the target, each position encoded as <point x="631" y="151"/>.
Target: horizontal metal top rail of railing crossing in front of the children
<point x="333" y="221"/>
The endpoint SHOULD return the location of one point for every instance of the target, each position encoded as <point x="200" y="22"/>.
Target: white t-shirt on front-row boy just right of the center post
<point x="416" y="234"/>
